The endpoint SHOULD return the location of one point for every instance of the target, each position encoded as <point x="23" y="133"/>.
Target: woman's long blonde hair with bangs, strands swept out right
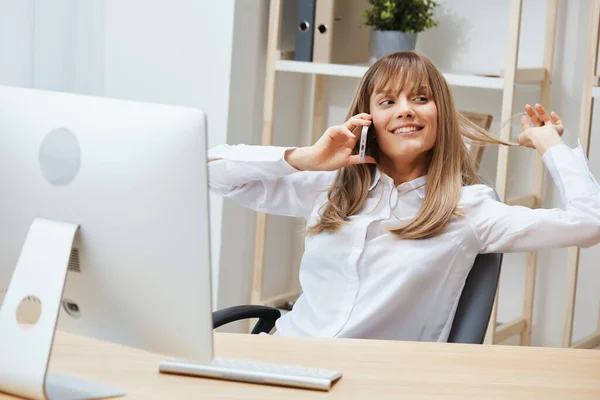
<point x="450" y="165"/>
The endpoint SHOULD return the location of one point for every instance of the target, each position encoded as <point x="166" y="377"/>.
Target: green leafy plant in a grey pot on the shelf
<point x="397" y="23"/>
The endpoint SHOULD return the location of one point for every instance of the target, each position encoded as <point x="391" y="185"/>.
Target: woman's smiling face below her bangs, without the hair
<point x="405" y="124"/>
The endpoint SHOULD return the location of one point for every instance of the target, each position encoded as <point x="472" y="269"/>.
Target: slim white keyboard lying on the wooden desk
<point x="256" y="372"/>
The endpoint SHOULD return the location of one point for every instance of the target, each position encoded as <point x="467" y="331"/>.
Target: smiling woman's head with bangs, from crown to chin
<point x="415" y="124"/>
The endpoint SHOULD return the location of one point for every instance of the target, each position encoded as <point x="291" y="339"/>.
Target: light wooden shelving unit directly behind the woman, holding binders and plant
<point x="511" y="76"/>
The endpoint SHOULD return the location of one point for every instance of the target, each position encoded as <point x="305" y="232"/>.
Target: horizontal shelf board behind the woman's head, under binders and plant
<point x="523" y="75"/>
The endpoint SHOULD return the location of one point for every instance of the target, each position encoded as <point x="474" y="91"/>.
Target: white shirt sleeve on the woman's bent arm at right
<point x="504" y="228"/>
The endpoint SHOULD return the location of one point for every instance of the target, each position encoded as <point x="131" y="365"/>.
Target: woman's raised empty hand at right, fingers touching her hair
<point x="545" y="132"/>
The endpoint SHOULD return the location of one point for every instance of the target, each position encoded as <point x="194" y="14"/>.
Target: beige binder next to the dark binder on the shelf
<point x="340" y="37"/>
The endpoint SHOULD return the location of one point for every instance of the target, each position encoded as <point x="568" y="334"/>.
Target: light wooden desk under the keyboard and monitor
<point x="372" y="369"/>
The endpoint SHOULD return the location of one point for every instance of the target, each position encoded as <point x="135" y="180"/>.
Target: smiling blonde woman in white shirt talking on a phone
<point x="391" y="241"/>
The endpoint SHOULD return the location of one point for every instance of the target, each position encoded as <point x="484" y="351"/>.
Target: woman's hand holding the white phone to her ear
<point x="333" y="150"/>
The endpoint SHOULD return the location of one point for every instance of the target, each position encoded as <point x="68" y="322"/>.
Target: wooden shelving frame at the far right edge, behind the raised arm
<point x="591" y="90"/>
